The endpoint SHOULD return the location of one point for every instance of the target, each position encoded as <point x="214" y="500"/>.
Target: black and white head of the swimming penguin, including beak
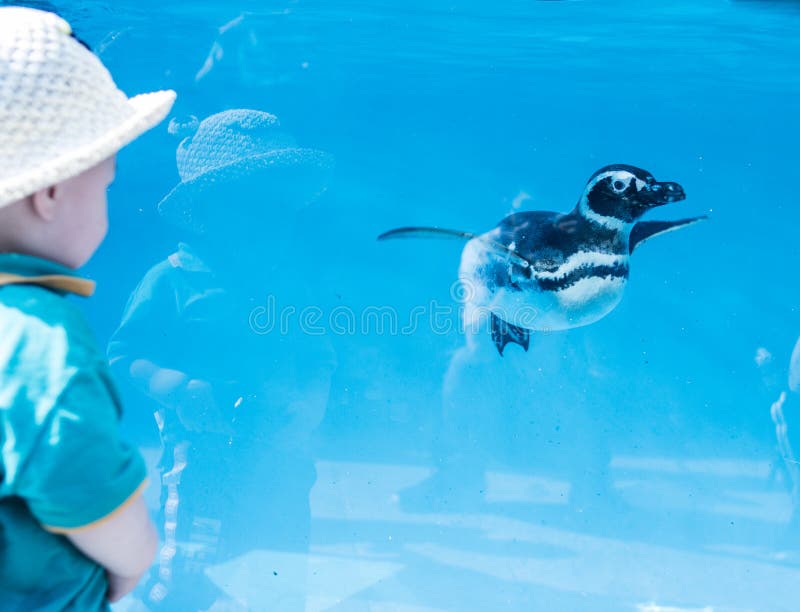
<point x="618" y="195"/>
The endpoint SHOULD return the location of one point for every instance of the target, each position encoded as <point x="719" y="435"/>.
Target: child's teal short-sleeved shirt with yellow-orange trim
<point x="63" y="465"/>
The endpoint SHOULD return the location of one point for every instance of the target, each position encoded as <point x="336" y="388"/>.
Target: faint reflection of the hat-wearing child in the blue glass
<point x="235" y="407"/>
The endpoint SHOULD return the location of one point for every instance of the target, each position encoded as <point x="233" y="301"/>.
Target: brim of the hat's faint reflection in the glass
<point x="283" y="177"/>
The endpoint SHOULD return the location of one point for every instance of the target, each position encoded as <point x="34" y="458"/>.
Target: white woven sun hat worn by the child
<point x="60" y="111"/>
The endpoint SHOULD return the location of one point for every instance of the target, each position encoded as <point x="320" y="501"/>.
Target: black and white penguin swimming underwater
<point x="551" y="271"/>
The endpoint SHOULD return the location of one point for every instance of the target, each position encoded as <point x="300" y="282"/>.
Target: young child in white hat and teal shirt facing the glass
<point x="74" y="531"/>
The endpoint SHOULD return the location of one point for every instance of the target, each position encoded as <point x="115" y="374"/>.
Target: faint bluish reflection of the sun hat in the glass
<point x="236" y="151"/>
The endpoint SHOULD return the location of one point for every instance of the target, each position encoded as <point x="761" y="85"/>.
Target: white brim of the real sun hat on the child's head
<point x="148" y="111"/>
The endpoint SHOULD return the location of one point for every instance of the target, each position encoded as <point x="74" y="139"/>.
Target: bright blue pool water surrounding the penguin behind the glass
<point x="639" y="463"/>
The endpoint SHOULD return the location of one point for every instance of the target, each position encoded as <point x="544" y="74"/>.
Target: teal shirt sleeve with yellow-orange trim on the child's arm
<point x="78" y="471"/>
